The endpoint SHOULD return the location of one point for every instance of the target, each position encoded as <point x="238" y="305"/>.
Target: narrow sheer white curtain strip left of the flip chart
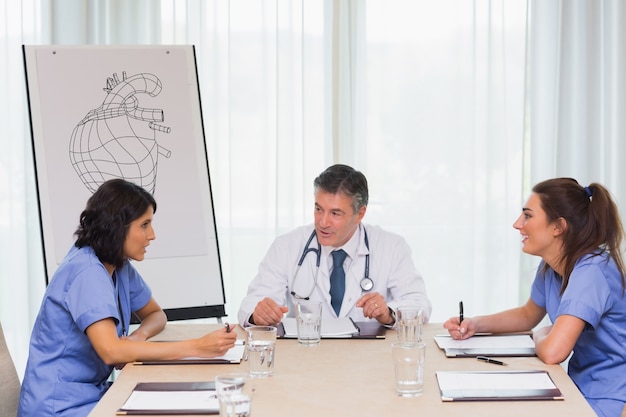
<point x="21" y="262"/>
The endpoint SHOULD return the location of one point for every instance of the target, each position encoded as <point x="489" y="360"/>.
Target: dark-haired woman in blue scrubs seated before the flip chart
<point x="80" y="333"/>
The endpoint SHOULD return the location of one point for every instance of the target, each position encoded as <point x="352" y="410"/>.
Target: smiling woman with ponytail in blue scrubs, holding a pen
<point x="580" y="284"/>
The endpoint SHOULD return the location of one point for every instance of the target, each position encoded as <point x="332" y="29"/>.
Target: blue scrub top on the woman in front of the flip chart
<point x="64" y="375"/>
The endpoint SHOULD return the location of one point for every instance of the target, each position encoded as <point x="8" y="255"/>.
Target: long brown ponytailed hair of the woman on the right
<point x="593" y="221"/>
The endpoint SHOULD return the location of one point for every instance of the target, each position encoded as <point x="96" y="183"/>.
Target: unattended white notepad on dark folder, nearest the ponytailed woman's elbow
<point x="497" y="386"/>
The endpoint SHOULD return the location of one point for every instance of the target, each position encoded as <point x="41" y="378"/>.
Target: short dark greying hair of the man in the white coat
<point x="344" y="179"/>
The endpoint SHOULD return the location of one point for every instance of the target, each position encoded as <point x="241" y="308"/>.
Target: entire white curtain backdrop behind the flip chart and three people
<point x="451" y="108"/>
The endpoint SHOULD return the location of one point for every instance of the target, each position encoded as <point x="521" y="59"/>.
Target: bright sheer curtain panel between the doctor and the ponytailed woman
<point x="439" y="122"/>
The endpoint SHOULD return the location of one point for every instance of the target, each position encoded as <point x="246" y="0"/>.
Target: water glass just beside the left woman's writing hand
<point x="261" y="346"/>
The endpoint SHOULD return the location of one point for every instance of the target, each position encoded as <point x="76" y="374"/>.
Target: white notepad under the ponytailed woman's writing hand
<point x="487" y="345"/>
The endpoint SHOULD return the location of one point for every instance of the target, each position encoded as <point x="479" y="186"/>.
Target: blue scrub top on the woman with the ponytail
<point x="594" y="294"/>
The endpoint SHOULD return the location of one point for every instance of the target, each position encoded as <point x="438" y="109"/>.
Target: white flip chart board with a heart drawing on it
<point x="148" y="89"/>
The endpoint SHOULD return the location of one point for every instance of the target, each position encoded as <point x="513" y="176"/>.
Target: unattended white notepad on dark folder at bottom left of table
<point x="171" y="398"/>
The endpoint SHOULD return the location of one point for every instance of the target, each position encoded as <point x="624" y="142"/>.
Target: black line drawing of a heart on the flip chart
<point x="118" y="139"/>
